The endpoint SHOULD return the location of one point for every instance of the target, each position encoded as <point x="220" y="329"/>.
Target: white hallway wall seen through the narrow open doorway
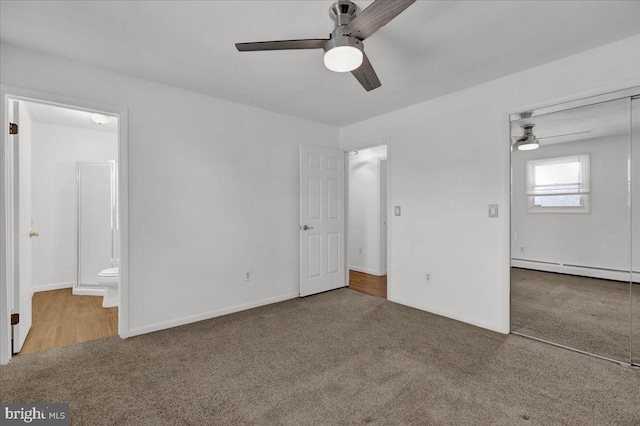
<point x="364" y="215"/>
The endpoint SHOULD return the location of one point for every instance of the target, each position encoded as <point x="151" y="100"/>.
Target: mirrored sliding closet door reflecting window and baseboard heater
<point x="572" y="226"/>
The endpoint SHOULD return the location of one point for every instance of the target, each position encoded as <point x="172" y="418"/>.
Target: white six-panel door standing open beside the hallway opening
<point x="321" y="219"/>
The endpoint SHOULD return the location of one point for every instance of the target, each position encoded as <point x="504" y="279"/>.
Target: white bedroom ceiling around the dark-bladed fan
<point x="433" y="48"/>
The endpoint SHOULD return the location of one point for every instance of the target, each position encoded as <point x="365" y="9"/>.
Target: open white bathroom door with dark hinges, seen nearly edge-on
<point x="22" y="283"/>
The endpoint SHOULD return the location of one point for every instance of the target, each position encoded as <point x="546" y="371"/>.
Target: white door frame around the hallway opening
<point x="358" y="147"/>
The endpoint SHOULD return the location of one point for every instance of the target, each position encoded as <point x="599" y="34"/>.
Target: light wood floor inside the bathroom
<point x="61" y="319"/>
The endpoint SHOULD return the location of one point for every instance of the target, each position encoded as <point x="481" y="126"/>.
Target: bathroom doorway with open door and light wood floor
<point x="64" y="211"/>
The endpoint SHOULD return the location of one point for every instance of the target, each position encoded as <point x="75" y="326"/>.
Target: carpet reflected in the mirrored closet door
<point x="589" y="314"/>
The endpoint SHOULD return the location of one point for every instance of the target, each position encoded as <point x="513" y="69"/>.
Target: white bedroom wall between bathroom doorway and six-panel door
<point x="214" y="191"/>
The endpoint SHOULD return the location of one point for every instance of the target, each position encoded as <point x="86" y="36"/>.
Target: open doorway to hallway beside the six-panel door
<point x="367" y="236"/>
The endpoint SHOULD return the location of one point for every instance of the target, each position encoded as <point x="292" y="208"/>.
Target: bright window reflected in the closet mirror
<point x="559" y="185"/>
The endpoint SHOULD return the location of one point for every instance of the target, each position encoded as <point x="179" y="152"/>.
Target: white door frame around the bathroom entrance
<point x="8" y="255"/>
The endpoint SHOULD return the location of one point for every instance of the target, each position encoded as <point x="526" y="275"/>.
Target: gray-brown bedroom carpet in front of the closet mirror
<point x="340" y="357"/>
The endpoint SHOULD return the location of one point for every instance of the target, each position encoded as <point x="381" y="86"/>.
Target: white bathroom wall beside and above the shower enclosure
<point x="56" y="149"/>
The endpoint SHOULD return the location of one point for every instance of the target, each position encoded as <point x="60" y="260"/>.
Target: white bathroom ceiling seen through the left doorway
<point x="51" y="114"/>
